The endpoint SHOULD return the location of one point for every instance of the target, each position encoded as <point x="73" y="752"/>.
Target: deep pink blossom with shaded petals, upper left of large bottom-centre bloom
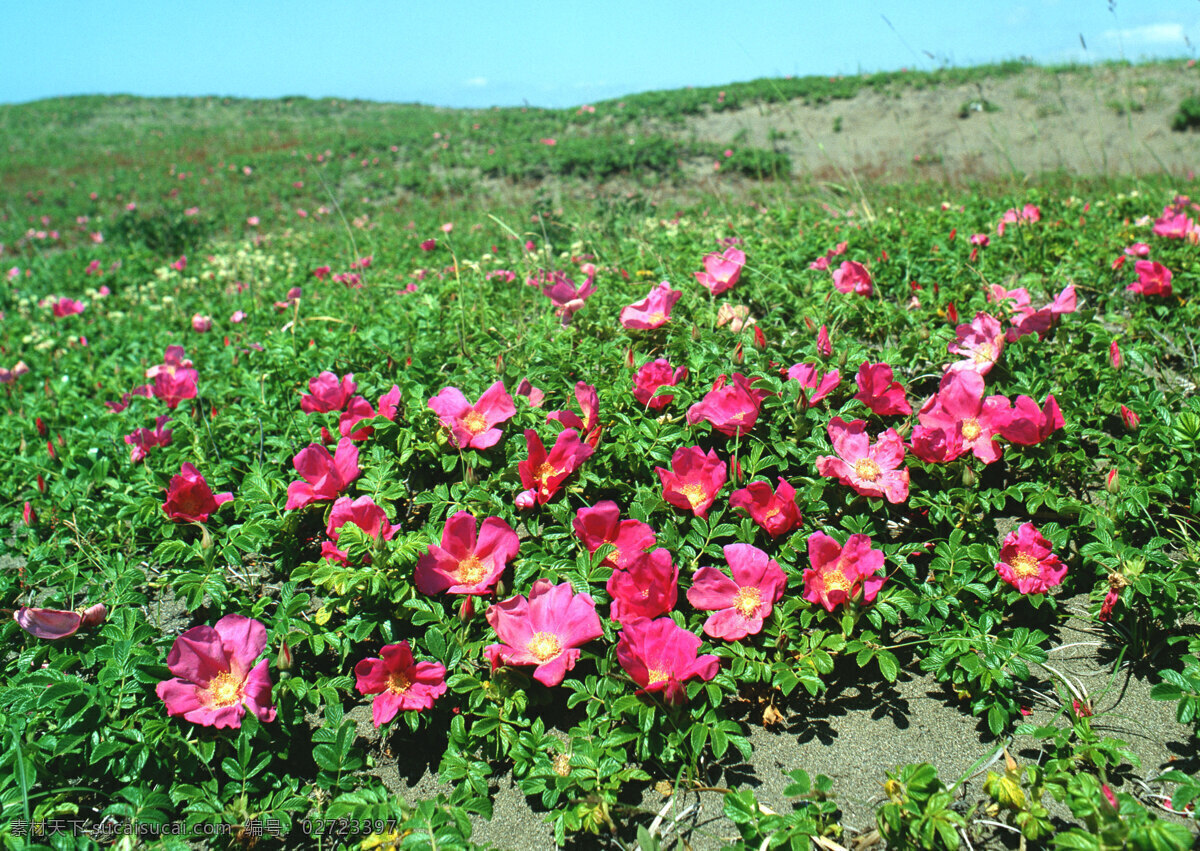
<point x="466" y="562"/>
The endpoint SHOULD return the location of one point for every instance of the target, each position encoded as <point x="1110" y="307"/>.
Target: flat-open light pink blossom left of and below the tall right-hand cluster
<point x="872" y="470"/>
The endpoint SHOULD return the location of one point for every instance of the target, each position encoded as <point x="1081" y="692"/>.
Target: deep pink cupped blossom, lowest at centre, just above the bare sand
<point x="661" y="656"/>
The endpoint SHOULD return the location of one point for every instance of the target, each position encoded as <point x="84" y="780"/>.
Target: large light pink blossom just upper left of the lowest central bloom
<point x="545" y="631"/>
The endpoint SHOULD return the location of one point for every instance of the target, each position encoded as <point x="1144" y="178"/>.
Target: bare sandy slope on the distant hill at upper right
<point x="1090" y="122"/>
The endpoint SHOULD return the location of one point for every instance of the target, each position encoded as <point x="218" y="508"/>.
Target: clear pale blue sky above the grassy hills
<point x="562" y="53"/>
